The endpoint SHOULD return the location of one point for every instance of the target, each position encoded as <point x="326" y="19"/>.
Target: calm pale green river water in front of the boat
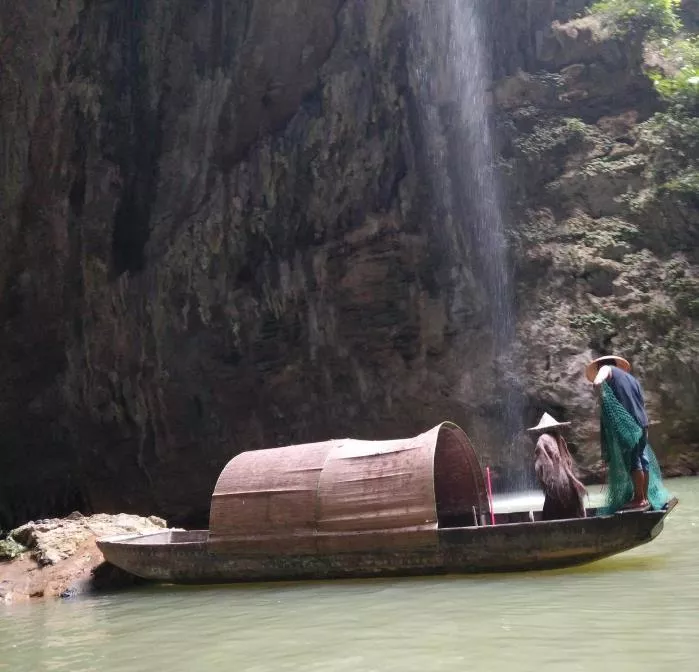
<point x="637" y="611"/>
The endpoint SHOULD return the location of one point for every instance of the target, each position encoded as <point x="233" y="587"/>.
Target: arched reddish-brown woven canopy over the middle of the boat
<point x="348" y="495"/>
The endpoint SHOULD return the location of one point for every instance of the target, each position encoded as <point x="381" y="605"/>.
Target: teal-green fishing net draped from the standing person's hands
<point x="620" y="434"/>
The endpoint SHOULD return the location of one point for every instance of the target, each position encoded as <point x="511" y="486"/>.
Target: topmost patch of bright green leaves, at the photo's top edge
<point x="654" y="17"/>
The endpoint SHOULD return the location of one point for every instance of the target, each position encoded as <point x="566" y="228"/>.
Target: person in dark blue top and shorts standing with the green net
<point x="615" y="371"/>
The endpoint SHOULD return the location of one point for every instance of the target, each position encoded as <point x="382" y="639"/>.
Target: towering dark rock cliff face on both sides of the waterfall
<point x="219" y="231"/>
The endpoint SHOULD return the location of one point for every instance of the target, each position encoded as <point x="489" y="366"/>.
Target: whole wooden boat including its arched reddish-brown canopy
<point x="352" y="508"/>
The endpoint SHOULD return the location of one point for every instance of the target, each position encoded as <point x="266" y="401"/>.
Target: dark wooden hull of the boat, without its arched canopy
<point x="187" y="557"/>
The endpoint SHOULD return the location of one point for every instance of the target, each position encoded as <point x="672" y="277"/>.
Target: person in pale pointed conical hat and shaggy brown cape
<point x="553" y="463"/>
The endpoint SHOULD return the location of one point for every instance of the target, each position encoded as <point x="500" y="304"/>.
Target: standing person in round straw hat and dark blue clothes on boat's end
<point x="616" y="373"/>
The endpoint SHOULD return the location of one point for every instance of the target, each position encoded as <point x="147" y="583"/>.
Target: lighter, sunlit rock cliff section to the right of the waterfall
<point x="605" y="231"/>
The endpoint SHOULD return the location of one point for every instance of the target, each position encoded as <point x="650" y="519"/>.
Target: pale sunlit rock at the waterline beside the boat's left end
<point x="59" y="556"/>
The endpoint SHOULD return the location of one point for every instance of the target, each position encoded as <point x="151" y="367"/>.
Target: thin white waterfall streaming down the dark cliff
<point x="455" y="54"/>
